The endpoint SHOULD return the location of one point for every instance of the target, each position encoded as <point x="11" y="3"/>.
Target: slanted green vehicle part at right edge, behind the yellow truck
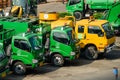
<point x="113" y="16"/>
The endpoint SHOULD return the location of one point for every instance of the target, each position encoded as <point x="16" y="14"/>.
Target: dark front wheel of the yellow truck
<point x="91" y="53"/>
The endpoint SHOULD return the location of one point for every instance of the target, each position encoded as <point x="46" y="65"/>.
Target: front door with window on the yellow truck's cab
<point x="94" y="35"/>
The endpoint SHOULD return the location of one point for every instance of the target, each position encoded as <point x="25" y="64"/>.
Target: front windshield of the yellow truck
<point x="108" y="29"/>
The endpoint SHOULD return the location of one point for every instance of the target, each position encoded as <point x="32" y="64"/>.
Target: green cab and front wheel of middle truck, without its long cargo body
<point x="61" y="44"/>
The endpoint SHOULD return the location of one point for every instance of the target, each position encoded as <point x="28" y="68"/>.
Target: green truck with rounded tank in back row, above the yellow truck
<point x="82" y="8"/>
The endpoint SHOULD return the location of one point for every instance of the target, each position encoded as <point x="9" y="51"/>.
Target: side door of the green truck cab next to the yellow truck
<point x="60" y="42"/>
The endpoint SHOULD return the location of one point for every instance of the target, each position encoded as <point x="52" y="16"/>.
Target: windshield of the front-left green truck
<point x="35" y="42"/>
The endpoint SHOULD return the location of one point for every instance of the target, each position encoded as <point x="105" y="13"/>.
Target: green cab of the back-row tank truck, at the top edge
<point x="74" y="5"/>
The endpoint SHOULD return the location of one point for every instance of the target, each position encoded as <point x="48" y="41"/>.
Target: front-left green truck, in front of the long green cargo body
<point x="23" y="49"/>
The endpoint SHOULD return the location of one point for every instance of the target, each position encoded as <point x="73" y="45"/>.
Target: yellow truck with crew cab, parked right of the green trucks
<point x="95" y="36"/>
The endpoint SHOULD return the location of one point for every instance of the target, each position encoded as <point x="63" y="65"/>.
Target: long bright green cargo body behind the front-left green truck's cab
<point x="19" y="24"/>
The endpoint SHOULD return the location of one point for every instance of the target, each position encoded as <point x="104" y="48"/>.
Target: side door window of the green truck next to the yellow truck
<point x="60" y="37"/>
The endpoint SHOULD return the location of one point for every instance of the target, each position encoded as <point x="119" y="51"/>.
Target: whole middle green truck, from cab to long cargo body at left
<point x="55" y="53"/>
